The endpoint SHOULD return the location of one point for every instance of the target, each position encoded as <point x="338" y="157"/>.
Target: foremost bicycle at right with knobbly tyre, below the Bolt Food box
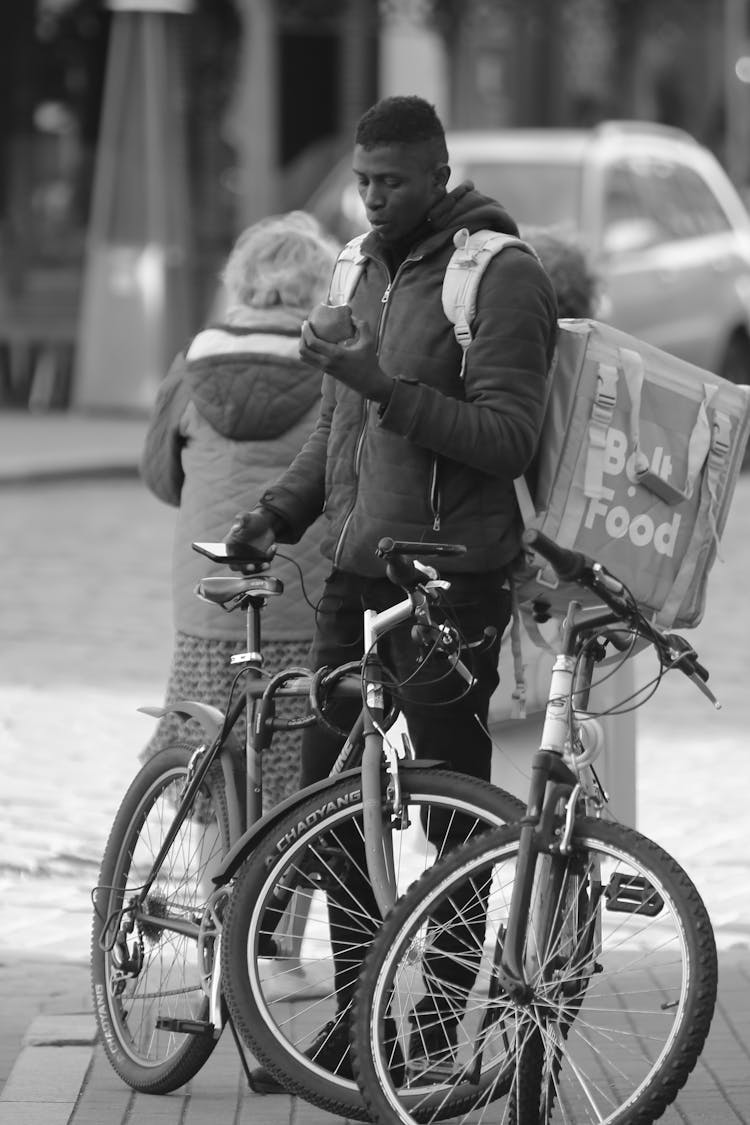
<point x="589" y="958"/>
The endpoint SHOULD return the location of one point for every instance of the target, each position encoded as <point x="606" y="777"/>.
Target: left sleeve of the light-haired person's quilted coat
<point x="161" y="462"/>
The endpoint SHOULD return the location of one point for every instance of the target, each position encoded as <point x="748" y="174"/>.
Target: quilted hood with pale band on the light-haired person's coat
<point x="250" y="384"/>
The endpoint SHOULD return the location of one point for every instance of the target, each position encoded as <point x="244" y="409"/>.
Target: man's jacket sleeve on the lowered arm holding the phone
<point x="297" y="498"/>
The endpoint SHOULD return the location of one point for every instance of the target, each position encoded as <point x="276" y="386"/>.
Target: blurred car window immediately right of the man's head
<point x="535" y="193"/>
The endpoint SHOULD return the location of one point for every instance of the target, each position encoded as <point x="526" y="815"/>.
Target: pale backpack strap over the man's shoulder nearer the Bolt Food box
<point x="464" y="273"/>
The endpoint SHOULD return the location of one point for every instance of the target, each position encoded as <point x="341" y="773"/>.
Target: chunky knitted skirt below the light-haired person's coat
<point x="202" y="671"/>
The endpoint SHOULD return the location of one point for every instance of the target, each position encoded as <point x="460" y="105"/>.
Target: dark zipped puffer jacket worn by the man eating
<point x="439" y="462"/>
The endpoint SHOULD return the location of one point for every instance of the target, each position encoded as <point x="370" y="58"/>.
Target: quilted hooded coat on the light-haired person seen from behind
<point x="232" y="413"/>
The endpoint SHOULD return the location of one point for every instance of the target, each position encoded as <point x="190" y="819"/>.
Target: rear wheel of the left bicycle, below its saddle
<point x="149" y="977"/>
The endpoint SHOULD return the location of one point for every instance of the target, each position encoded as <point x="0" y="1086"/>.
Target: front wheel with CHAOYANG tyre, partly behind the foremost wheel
<point x="317" y="853"/>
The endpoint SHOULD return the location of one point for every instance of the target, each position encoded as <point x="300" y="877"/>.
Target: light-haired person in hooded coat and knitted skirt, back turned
<point x="236" y="408"/>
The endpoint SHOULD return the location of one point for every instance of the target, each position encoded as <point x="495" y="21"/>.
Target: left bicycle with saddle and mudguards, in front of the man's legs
<point x="197" y="888"/>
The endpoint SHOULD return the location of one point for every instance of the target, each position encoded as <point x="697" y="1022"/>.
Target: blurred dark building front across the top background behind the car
<point x="140" y="137"/>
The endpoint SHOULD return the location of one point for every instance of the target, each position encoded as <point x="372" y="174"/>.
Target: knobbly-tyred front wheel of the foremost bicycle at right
<point x="622" y="967"/>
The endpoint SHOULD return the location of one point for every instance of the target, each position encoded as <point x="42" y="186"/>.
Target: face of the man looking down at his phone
<point x="399" y="186"/>
